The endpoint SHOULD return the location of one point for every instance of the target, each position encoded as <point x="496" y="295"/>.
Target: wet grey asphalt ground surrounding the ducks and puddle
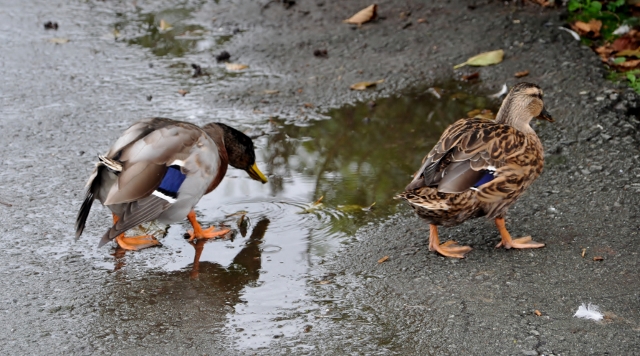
<point x="64" y="102"/>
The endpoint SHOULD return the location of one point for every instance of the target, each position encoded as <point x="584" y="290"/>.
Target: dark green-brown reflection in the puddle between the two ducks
<point x="367" y="152"/>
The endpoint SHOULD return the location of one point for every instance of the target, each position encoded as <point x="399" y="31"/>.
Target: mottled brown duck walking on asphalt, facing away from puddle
<point x="479" y="168"/>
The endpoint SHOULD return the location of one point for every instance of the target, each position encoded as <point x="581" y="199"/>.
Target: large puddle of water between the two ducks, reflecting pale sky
<point x="360" y="155"/>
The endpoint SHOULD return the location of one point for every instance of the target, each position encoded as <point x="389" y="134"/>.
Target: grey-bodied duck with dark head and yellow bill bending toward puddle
<point x="159" y="169"/>
